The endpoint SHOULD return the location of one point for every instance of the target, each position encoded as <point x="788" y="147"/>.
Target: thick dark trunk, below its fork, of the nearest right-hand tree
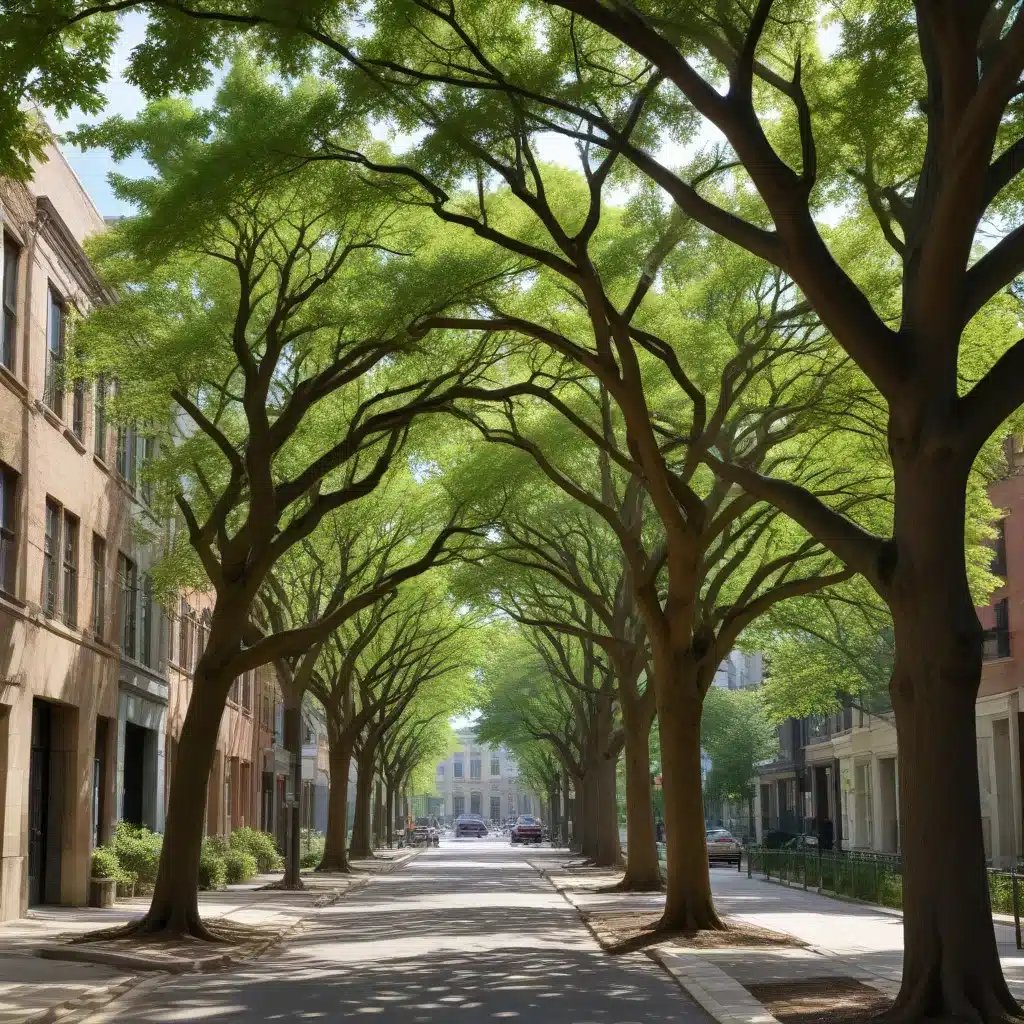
<point x="951" y="960"/>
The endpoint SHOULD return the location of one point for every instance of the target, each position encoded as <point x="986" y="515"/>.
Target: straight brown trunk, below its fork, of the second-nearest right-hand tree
<point x="689" y="904"/>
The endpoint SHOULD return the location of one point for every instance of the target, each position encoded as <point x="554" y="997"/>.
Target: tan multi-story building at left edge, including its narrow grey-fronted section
<point x="83" y="681"/>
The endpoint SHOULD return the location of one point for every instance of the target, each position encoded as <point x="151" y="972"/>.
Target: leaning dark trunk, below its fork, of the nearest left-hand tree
<point x="175" y="909"/>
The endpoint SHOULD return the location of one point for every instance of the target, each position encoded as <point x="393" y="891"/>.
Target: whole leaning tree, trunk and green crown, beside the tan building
<point x="253" y="309"/>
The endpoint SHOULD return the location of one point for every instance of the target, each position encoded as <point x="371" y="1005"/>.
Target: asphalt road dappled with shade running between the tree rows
<point x="470" y="932"/>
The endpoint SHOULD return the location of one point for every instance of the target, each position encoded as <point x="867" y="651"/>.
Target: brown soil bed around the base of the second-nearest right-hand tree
<point x="626" y="931"/>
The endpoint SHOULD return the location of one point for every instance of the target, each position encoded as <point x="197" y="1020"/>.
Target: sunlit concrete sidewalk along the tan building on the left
<point x="39" y="991"/>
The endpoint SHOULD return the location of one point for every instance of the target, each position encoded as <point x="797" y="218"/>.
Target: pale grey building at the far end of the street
<point x="478" y="779"/>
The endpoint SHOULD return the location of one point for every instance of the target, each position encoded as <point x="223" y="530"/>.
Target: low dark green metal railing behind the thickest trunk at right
<point x="869" y="878"/>
